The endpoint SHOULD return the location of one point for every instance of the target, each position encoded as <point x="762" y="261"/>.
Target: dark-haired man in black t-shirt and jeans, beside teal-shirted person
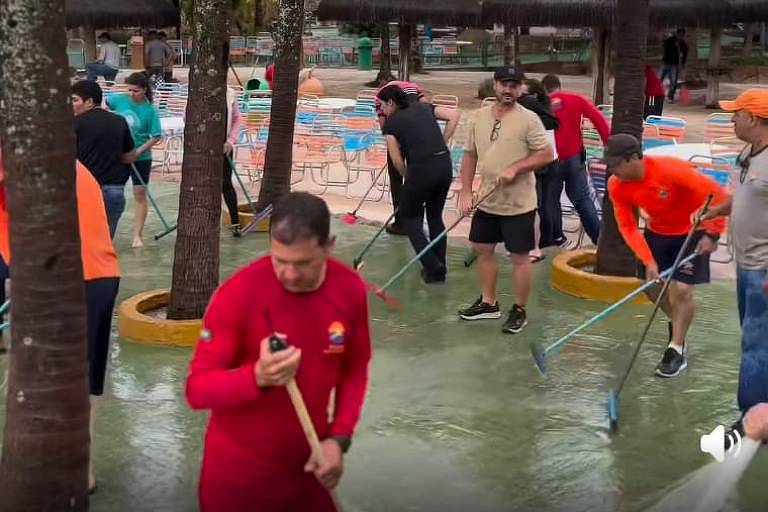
<point x="104" y="145"/>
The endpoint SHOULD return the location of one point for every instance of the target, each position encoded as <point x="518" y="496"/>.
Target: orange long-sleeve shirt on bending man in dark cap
<point x="671" y="192"/>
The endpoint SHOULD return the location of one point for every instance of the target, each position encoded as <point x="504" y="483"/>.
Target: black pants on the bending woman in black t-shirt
<point x="426" y="189"/>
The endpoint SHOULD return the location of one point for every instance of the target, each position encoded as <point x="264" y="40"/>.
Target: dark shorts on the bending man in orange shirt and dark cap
<point x="665" y="248"/>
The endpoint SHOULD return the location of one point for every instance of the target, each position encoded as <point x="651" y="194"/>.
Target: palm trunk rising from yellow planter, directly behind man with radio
<point x="196" y="256"/>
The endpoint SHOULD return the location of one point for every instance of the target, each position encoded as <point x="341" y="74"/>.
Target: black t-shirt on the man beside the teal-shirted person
<point x="102" y="139"/>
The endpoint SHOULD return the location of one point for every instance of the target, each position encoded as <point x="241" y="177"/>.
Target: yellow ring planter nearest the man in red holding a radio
<point x="134" y="325"/>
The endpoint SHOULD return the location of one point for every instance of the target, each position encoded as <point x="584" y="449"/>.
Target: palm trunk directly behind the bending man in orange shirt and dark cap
<point x="613" y="256"/>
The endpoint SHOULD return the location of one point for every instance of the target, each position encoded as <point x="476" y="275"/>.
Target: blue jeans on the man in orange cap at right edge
<point x="753" y="314"/>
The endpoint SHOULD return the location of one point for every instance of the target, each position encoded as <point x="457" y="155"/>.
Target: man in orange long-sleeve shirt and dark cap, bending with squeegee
<point x="670" y="192"/>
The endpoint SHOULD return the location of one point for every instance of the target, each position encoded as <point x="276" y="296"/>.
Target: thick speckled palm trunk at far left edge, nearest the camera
<point x="44" y="465"/>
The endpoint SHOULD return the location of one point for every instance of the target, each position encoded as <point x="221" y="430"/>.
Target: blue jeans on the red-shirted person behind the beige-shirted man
<point x="573" y="174"/>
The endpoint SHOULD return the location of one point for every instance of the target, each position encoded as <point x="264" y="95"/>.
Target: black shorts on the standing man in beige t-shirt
<point x="516" y="231"/>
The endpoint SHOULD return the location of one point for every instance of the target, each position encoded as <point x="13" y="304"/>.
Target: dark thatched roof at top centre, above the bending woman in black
<point x="450" y="12"/>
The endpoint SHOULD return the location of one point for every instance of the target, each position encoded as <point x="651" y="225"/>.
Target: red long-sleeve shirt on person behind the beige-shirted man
<point x="570" y="108"/>
